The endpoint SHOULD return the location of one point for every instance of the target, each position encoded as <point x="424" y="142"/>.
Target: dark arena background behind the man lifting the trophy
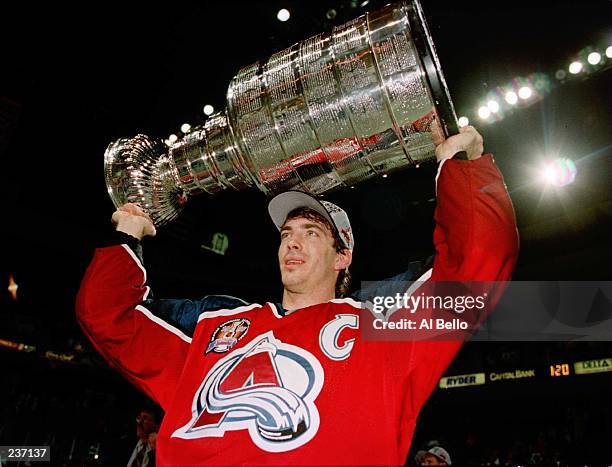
<point x="73" y="79"/>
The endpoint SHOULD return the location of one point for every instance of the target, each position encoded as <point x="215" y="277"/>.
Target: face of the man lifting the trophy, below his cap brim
<point x="307" y="257"/>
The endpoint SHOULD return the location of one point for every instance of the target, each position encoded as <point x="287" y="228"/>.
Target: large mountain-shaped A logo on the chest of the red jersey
<point x="267" y="388"/>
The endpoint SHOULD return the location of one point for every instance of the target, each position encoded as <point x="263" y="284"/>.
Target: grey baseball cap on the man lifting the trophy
<point x="282" y="204"/>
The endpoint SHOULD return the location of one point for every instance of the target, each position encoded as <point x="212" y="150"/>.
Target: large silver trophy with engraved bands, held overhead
<point x="325" y="114"/>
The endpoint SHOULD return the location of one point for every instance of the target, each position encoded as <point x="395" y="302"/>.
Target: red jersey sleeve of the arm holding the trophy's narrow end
<point x="110" y="308"/>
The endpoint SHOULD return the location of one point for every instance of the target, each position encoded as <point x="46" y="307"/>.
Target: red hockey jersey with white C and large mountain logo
<point x="253" y="386"/>
